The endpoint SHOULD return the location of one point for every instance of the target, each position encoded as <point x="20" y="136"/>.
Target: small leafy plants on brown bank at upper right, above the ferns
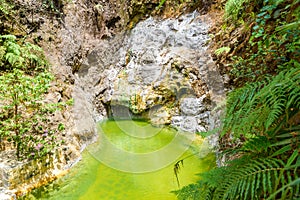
<point x="274" y="43"/>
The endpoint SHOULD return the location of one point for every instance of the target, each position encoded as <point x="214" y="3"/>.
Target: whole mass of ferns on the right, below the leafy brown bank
<point x="266" y="165"/>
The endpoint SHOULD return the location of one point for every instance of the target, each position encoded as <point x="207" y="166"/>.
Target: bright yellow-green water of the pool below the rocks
<point x="90" y="179"/>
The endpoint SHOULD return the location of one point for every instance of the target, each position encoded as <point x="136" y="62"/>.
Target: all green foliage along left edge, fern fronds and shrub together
<point x="24" y="80"/>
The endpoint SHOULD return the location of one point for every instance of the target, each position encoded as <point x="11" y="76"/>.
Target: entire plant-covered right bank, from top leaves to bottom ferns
<point x="260" y="132"/>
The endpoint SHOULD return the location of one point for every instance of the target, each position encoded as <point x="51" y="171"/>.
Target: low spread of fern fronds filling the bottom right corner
<point x="248" y="177"/>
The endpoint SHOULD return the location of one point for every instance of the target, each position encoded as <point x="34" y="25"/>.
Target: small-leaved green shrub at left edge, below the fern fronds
<point x="20" y="96"/>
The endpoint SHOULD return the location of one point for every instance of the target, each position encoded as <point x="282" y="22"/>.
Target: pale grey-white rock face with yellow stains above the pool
<point x="159" y="70"/>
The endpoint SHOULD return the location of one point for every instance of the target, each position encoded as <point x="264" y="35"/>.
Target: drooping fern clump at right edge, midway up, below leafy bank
<point x="263" y="106"/>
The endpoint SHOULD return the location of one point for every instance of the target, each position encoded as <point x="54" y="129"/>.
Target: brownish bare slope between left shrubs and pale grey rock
<point x="76" y="35"/>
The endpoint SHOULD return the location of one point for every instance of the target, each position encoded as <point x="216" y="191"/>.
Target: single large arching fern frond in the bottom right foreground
<point x="245" y="181"/>
